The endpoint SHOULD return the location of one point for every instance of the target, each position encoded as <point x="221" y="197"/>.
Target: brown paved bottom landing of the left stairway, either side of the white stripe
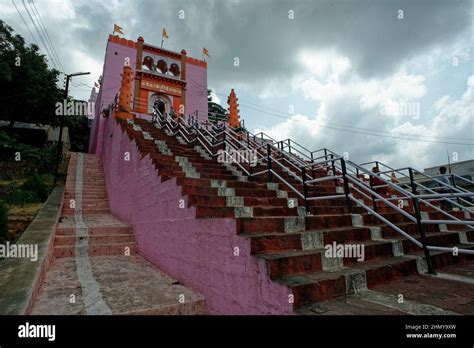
<point x="128" y="285"/>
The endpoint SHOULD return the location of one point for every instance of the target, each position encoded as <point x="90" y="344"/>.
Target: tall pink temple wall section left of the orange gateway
<point x="115" y="55"/>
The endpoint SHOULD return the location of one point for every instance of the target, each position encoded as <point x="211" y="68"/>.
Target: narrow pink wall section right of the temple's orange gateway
<point x="196" y="90"/>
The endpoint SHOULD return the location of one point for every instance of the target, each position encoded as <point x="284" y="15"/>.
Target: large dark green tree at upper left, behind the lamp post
<point x="29" y="87"/>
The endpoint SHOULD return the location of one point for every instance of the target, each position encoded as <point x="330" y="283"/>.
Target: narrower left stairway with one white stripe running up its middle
<point x="95" y="267"/>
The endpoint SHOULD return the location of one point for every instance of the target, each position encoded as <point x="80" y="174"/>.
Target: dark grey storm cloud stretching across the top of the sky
<point x="266" y="41"/>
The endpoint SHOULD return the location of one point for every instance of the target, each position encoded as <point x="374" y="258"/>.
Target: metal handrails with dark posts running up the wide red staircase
<point x="349" y="173"/>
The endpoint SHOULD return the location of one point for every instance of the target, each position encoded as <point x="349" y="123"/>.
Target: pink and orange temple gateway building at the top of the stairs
<point x="172" y="81"/>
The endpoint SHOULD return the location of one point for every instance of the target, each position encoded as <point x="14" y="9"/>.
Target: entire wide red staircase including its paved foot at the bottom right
<point x="290" y="234"/>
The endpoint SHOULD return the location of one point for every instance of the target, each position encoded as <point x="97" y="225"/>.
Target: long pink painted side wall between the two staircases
<point x="197" y="252"/>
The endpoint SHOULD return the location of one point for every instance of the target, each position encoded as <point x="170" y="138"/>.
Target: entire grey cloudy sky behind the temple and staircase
<point x="387" y="80"/>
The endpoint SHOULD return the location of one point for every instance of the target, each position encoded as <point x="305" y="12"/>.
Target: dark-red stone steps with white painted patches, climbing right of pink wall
<point x="290" y="239"/>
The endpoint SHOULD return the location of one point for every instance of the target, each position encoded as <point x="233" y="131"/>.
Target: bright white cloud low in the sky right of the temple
<point x="355" y="103"/>
